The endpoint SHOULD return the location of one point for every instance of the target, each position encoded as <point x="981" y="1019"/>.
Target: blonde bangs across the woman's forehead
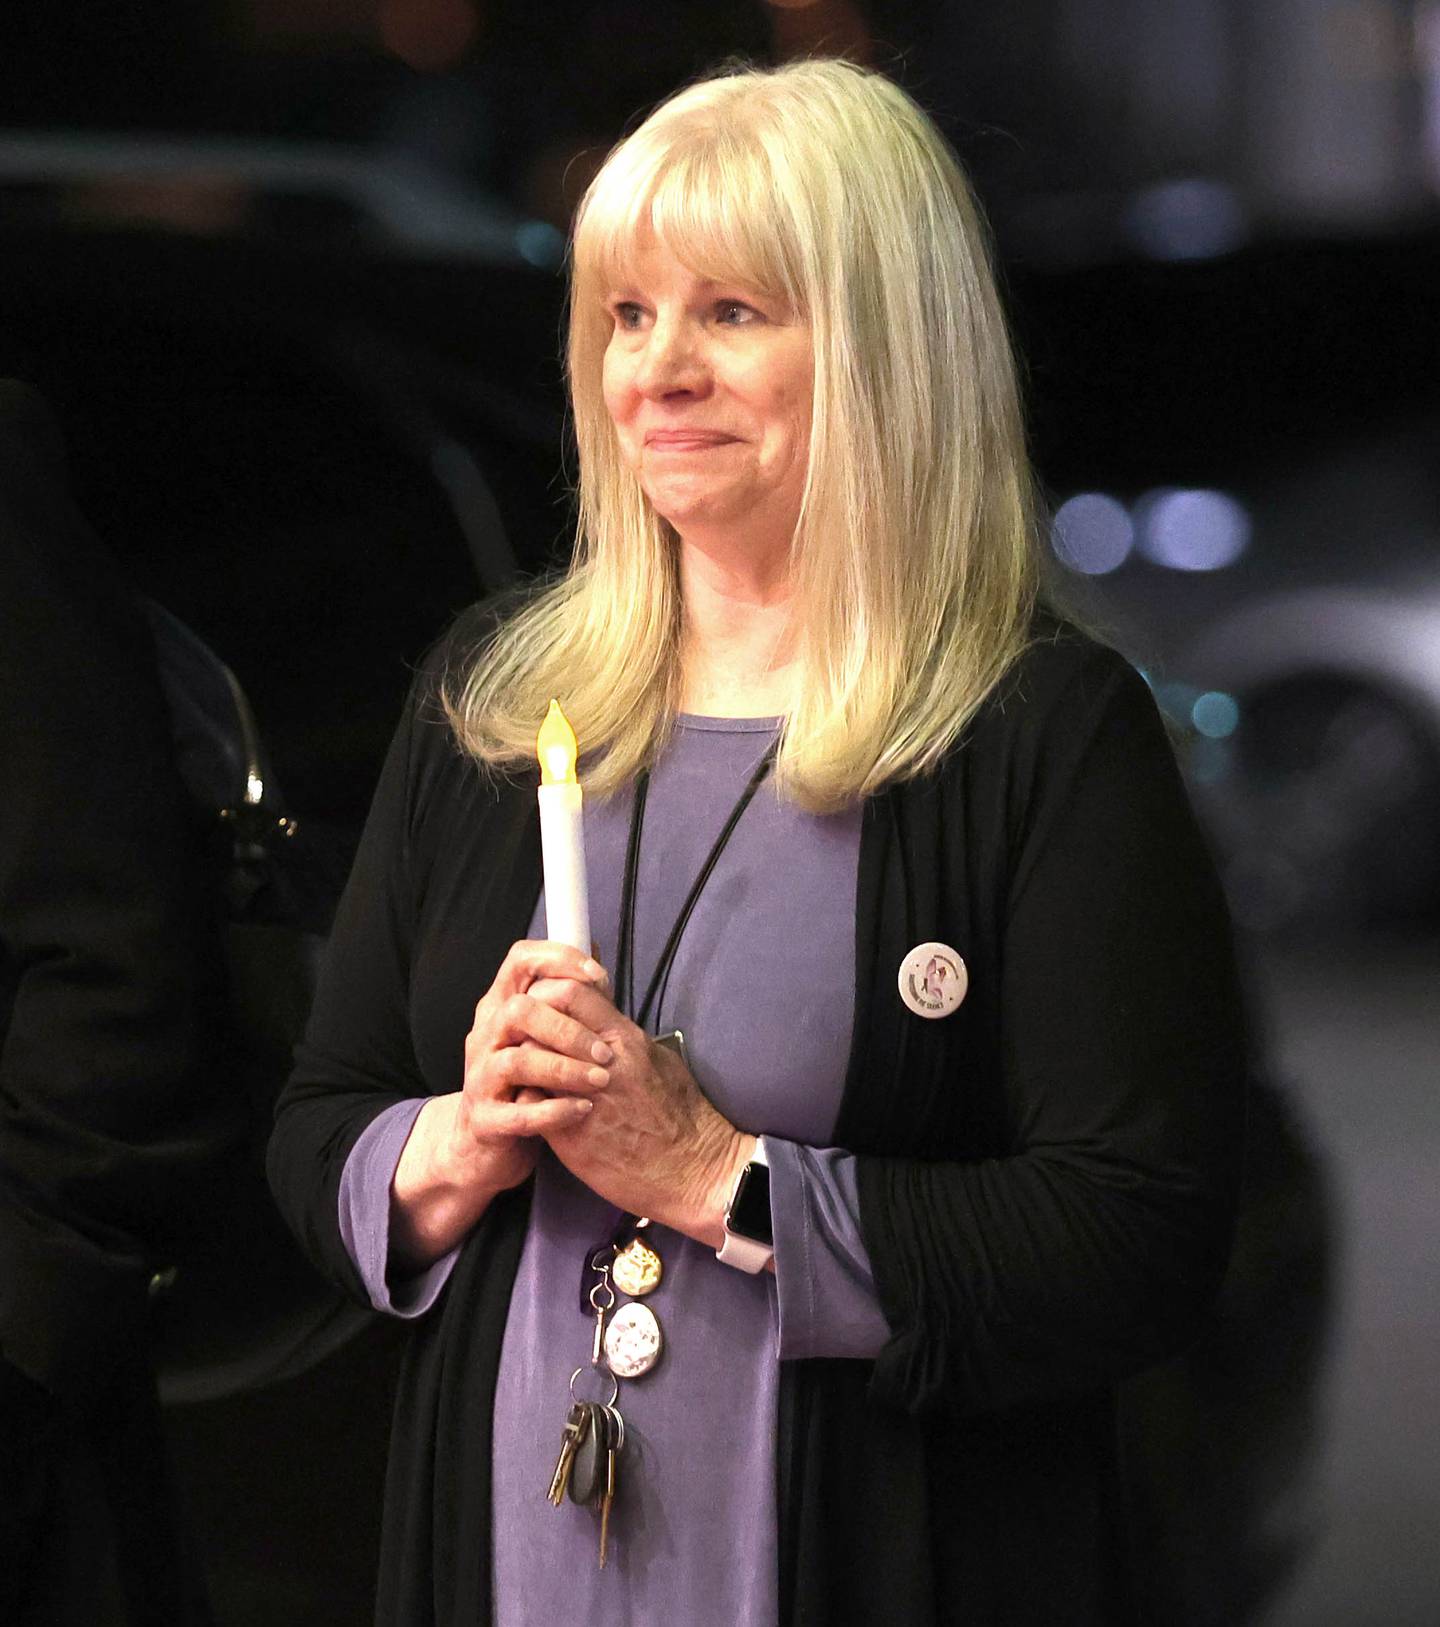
<point x="715" y="204"/>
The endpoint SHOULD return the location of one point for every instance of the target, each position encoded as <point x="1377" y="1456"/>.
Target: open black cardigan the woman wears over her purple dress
<point x="1047" y="1177"/>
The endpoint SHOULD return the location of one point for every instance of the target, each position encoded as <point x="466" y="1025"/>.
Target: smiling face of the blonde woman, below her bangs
<point x="710" y="390"/>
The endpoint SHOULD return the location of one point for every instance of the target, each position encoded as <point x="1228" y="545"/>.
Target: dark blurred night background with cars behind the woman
<point x="290" y="273"/>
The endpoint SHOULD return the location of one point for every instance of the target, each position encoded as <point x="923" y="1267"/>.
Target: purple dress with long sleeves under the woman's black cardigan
<point x="764" y="988"/>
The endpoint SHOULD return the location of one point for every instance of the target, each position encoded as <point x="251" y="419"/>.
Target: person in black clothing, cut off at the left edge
<point x="110" y="1104"/>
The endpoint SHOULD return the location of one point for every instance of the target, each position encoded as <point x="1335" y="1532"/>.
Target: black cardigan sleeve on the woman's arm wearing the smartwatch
<point x="1096" y="1244"/>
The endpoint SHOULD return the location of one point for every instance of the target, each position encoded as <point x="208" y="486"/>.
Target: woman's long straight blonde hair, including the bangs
<point x="915" y="559"/>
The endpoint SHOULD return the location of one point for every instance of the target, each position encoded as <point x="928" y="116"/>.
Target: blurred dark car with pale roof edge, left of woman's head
<point x="313" y="404"/>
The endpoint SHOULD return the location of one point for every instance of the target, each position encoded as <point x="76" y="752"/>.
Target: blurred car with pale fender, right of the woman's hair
<point x="1244" y="455"/>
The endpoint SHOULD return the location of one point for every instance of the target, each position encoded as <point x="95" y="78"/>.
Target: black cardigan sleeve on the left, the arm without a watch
<point x="357" y="1058"/>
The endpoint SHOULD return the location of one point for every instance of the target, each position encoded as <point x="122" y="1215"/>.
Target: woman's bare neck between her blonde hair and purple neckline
<point x="740" y="645"/>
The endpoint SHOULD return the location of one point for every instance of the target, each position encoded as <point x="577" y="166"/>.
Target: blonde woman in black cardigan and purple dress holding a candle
<point x="831" y="741"/>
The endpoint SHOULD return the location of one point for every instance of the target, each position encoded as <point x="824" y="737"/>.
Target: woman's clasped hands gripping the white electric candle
<point x="551" y="1058"/>
